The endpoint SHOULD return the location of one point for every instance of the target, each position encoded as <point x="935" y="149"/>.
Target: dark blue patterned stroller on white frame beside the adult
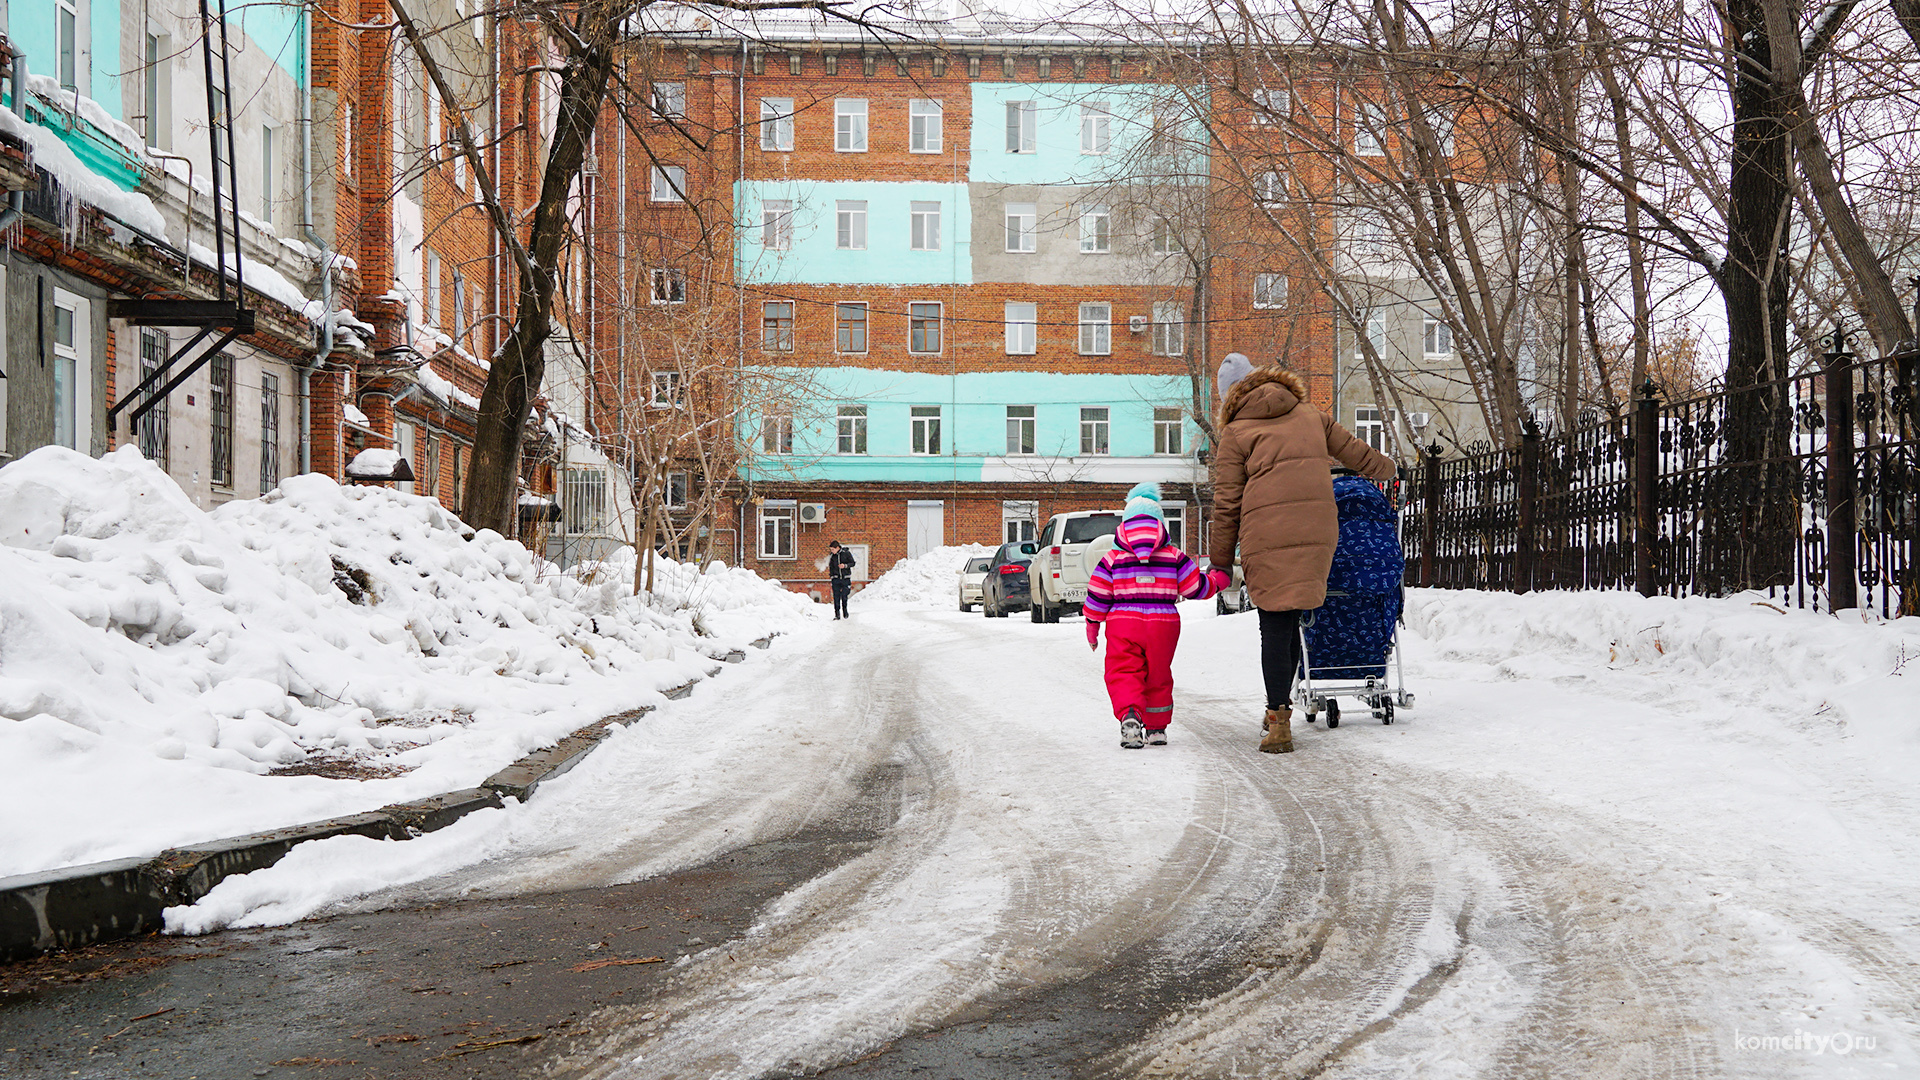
<point x="1351" y="645"/>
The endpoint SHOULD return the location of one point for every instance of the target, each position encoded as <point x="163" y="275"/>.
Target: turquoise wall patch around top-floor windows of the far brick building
<point x="1057" y="159"/>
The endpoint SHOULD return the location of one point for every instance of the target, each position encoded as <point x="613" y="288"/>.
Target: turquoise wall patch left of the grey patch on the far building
<point x="817" y="258"/>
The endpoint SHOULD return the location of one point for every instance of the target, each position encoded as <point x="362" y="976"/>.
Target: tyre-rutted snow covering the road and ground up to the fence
<point x="1616" y="837"/>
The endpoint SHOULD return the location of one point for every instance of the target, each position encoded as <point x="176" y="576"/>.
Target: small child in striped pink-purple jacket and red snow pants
<point x="1136" y="591"/>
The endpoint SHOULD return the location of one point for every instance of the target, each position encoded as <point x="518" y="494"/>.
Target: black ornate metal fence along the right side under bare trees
<point x="1725" y="493"/>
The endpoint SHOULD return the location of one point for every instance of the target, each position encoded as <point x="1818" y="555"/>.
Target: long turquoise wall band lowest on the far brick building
<point x="972" y="420"/>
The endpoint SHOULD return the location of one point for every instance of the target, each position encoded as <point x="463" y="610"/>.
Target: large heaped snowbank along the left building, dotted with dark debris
<point x="160" y="664"/>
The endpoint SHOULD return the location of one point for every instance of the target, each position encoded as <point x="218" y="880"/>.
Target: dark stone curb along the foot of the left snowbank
<point x="122" y="898"/>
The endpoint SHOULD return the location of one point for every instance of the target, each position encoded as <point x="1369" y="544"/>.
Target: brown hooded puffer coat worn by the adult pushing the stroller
<point x="1274" y="489"/>
